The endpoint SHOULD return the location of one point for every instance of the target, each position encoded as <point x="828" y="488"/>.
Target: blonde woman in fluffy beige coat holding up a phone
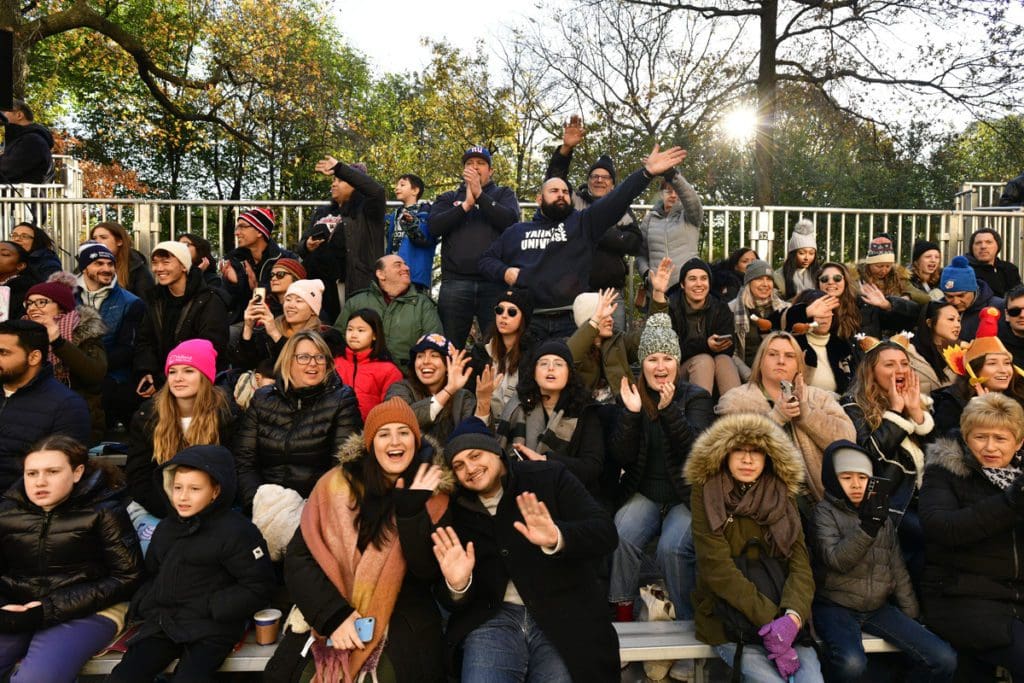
<point x="812" y="417"/>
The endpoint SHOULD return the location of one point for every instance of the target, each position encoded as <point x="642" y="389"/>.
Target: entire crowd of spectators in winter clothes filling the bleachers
<point x="806" y="451"/>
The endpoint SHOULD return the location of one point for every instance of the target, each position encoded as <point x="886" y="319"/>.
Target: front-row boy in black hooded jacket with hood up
<point x="209" y="572"/>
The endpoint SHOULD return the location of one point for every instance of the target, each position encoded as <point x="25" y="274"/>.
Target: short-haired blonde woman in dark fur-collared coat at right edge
<point x="972" y="507"/>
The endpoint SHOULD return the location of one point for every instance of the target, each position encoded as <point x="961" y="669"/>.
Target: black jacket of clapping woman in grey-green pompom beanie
<point x="691" y="412"/>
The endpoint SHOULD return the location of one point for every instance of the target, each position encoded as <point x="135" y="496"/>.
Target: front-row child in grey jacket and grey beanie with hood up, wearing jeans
<point x="863" y="572"/>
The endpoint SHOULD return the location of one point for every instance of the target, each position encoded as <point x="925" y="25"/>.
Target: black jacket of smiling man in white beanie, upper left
<point x="202" y="315"/>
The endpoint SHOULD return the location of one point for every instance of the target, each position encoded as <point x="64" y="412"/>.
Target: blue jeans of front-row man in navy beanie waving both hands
<point x="511" y="649"/>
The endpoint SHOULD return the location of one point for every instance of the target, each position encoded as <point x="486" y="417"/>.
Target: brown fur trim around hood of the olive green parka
<point x="711" y="450"/>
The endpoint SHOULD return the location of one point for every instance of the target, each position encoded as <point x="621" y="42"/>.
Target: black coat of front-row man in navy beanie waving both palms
<point x="562" y="592"/>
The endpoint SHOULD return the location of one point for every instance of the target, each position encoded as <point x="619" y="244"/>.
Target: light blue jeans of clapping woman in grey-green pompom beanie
<point x="638" y="522"/>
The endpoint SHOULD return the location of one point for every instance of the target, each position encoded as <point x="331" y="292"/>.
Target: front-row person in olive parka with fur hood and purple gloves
<point x="746" y="477"/>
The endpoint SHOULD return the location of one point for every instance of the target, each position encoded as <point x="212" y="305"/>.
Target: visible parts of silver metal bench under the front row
<point x="638" y="642"/>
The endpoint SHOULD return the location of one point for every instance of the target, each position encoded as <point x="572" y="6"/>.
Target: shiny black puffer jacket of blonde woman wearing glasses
<point x="289" y="438"/>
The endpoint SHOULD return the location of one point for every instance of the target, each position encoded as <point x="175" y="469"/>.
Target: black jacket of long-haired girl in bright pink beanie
<point x="141" y="468"/>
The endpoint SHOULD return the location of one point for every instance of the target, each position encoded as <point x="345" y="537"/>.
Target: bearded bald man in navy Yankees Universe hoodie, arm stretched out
<point x="551" y="257"/>
